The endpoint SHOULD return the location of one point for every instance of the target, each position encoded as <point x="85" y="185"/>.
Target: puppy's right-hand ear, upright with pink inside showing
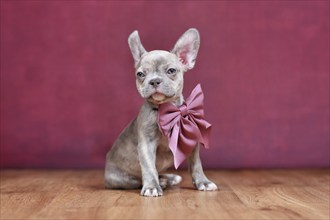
<point x="186" y="48"/>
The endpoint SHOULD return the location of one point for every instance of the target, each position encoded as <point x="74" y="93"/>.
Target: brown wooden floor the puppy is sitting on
<point x="244" y="194"/>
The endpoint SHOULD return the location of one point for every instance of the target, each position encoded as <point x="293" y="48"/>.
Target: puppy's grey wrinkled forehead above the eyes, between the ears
<point x="159" y="59"/>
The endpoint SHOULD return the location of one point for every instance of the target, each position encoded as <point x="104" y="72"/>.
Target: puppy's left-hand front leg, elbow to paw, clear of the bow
<point x="147" y="157"/>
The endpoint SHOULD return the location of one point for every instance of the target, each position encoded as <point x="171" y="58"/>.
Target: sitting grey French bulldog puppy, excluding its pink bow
<point x="141" y="152"/>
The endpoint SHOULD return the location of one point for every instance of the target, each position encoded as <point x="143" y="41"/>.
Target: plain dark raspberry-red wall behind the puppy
<point x="68" y="84"/>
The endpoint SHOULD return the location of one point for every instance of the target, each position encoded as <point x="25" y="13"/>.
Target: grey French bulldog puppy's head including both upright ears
<point x="159" y="73"/>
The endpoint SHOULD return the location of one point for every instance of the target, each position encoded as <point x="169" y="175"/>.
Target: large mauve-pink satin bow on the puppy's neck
<point x="185" y="126"/>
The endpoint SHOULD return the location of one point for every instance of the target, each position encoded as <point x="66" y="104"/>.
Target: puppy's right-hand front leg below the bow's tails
<point x="200" y="181"/>
